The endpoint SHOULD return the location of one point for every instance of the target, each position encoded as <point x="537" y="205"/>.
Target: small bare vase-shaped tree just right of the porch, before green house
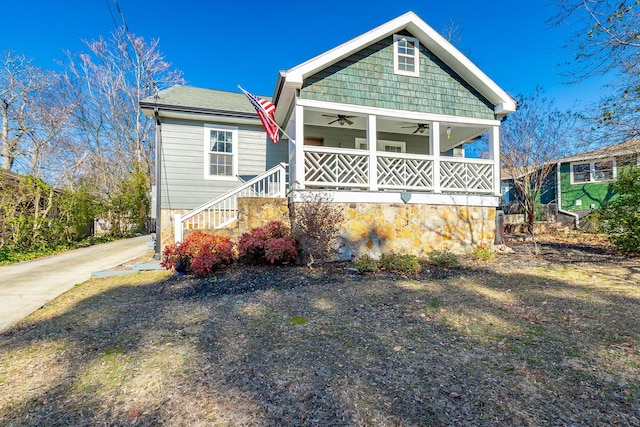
<point x="531" y="139"/>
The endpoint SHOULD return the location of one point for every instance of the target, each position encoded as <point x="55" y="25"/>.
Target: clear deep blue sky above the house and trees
<point x="220" y="44"/>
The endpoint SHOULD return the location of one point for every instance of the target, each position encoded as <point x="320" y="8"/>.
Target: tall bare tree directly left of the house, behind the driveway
<point x="108" y="82"/>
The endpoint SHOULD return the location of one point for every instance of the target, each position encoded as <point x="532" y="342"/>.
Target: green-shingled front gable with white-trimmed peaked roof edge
<point x="432" y="45"/>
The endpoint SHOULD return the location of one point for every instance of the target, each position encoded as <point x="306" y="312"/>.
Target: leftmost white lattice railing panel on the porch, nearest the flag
<point x="334" y="167"/>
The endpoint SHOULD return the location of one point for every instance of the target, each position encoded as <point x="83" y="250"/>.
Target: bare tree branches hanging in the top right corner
<point x="606" y="40"/>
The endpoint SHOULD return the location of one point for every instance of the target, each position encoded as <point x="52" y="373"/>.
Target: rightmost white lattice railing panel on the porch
<point x="466" y="175"/>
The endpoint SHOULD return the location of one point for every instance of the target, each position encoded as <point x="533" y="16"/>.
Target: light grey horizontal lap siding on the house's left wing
<point x="184" y="185"/>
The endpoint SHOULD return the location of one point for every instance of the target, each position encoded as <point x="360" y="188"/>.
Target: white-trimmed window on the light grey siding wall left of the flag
<point x="221" y="148"/>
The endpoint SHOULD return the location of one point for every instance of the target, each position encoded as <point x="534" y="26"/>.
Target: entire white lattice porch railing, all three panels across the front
<point x="327" y="167"/>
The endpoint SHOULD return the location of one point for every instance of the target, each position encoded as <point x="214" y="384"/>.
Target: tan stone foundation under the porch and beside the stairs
<point x="375" y="228"/>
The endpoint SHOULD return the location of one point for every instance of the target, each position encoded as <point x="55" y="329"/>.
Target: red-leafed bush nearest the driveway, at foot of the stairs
<point x="201" y="253"/>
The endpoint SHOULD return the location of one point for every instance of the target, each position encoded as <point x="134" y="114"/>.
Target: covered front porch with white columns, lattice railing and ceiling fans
<point x="366" y="149"/>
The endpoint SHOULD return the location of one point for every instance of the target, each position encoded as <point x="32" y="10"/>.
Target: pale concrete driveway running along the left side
<point x="27" y="286"/>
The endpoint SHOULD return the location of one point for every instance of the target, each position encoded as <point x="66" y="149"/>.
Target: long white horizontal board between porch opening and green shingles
<point x="385" y="112"/>
